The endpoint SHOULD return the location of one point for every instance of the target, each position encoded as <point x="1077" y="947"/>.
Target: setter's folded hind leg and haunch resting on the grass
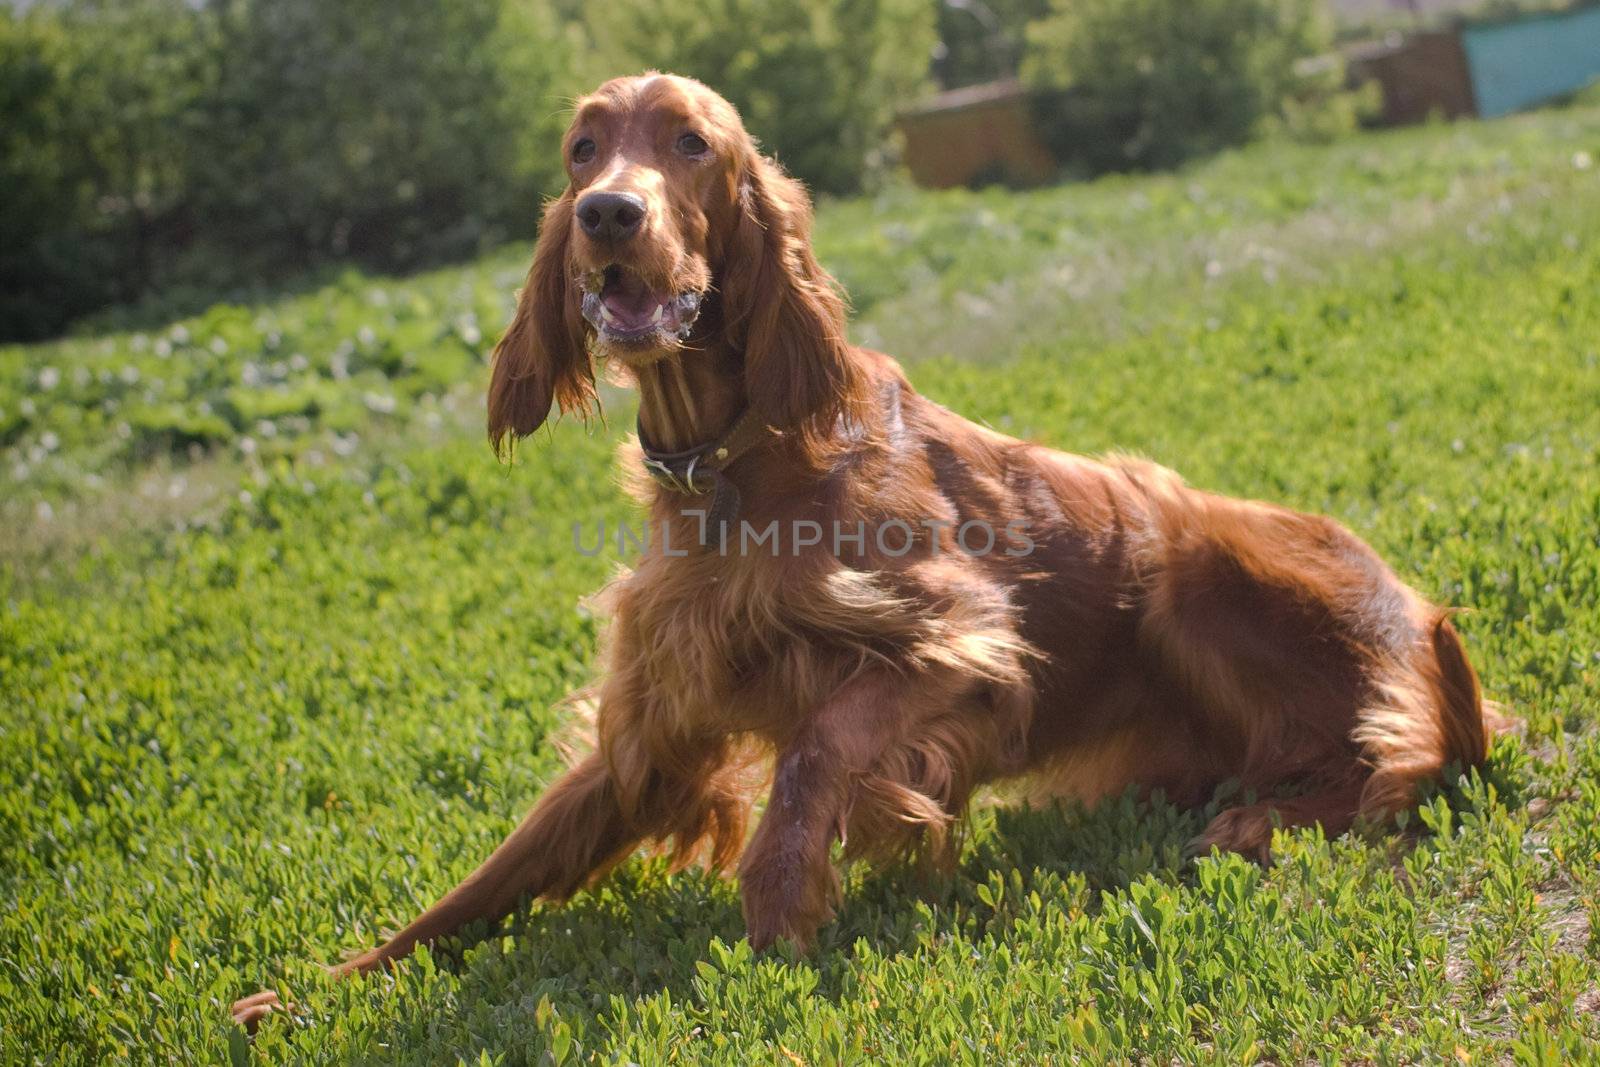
<point x="1311" y="665"/>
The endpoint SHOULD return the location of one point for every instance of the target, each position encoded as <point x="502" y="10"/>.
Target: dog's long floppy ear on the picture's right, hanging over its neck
<point x="785" y="311"/>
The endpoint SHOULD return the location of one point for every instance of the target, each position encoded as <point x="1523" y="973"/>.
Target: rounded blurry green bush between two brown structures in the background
<point x="1146" y="84"/>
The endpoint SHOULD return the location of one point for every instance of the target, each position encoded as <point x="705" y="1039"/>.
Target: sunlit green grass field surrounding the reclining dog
<point x="266" y="700"/>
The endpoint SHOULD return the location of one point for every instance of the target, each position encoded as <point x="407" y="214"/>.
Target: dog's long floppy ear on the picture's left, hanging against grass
<point x="543" y="359"/>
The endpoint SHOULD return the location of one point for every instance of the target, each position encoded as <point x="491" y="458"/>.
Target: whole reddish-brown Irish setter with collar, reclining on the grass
<point x="887" y="604"/>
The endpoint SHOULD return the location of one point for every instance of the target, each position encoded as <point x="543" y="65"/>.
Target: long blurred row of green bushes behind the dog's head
<point x="206" y="148"/>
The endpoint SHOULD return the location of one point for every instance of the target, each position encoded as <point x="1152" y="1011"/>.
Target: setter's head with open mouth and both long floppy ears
<point x="673" y="236"/>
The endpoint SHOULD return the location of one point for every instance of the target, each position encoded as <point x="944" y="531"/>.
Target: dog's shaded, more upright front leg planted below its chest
<point x="788" y="877"/>
